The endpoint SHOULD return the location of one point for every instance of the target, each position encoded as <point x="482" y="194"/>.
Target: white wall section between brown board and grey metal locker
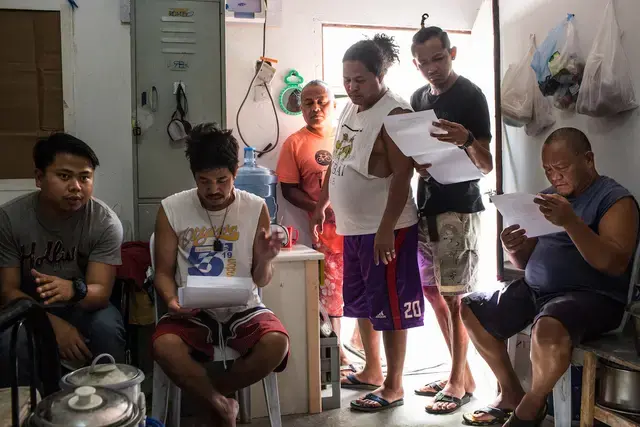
<point x="97" y="94"/>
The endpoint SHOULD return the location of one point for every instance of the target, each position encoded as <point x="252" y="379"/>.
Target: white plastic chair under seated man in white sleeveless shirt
<point x="167" y="396"/>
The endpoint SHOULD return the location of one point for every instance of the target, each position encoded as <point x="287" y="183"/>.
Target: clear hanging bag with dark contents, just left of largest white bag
<point x="567" y="68"/>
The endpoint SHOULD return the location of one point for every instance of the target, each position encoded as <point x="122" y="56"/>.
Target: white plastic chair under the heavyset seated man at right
<point x="562" y="390"/>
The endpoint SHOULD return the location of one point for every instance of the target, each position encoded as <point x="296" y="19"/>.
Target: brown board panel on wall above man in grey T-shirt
<point x="31" y="84"/>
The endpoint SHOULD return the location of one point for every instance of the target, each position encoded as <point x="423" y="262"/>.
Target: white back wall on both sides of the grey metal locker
<point x="98" y="74"/>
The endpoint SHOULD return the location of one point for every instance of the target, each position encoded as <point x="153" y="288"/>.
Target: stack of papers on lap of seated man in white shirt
<point x="215" y="292"/>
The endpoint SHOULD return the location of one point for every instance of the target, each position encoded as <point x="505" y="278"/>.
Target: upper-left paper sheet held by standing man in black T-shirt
<point x="412" y="132"/>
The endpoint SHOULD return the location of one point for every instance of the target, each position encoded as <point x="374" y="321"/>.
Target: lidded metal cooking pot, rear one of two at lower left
<point x="116" y="376"/>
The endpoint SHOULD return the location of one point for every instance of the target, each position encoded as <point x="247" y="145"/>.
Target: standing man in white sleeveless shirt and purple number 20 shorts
<point x="370" y="193"/>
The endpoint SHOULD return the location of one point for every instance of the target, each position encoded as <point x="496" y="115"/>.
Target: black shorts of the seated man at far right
<point x="506" y="312"/>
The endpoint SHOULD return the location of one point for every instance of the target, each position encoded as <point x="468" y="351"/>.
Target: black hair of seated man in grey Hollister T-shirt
<point x="46" y="149"/>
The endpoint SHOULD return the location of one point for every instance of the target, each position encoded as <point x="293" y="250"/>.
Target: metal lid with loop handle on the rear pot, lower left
<point x="104" y="374"/>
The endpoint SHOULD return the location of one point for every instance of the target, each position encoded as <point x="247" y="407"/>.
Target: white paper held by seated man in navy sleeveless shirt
<point x="518" y="208"/>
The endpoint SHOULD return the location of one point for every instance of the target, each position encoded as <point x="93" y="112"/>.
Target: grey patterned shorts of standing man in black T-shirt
<point x="451" y="263"/>
